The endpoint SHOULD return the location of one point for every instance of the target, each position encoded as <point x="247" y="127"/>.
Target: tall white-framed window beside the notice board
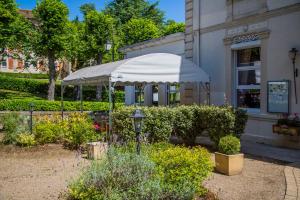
<point x="248" y="78"/>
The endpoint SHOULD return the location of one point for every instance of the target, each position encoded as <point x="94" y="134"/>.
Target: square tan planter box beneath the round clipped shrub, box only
<point x="229" y="164"/>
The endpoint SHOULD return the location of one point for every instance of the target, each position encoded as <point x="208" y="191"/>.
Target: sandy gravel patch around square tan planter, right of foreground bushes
<point x="261" y="179"/>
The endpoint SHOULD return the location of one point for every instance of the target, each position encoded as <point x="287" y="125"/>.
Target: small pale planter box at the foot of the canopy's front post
<point x="96" y="150"/>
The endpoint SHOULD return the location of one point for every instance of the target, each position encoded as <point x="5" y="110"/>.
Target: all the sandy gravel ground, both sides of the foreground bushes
<point x="44" y="172"/>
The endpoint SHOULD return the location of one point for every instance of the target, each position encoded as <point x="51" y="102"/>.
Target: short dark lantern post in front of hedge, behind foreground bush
<point x="137" y="118"/>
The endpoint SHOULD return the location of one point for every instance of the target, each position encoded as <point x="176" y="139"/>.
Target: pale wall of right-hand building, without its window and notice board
<point x="214" y="25"/>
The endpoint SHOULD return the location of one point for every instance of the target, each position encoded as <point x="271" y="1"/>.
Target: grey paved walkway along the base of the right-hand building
<point x="264" y="150"/>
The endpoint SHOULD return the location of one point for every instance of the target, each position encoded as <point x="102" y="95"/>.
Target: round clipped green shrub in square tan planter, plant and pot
<point x="228" y="159"/>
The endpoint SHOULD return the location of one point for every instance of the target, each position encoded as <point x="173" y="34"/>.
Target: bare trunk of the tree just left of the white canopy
<point x="52" y="73"/>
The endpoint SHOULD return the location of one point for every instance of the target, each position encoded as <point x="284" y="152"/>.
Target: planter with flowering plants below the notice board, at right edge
<point x="288" y="125"/>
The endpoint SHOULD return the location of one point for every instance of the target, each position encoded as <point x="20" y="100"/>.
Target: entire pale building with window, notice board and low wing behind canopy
<point x="244" y="46"/>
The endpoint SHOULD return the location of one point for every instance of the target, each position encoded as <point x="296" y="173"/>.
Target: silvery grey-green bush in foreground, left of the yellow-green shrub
<point x="119" y="176"/>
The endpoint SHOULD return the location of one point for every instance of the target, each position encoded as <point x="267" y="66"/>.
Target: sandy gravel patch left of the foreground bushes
<point x="37" y="173"/>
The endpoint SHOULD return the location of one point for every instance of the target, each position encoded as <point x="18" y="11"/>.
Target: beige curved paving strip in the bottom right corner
<point x="292" y="177"/>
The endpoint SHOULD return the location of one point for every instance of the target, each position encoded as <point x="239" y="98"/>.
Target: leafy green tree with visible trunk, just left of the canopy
<point x="52" y="16"/>
